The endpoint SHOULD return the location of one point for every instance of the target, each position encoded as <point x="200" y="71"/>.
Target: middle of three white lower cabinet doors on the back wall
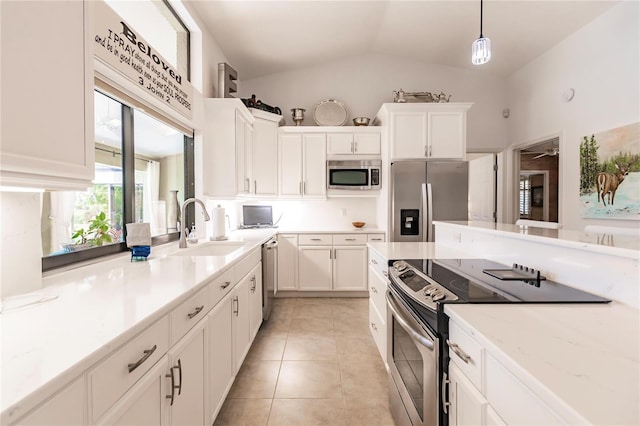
<point x="314" y="268"/>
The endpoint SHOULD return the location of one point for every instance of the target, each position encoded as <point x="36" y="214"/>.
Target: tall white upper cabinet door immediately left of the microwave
<point x="315" y="168"/>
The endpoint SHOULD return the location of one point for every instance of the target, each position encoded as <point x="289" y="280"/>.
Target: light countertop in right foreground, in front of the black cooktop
<point x="582" y="360"/>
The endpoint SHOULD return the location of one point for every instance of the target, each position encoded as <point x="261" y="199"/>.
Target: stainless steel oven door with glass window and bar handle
<point x="412" y="356"/>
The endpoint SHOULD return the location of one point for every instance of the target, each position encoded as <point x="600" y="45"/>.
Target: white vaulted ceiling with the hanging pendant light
<point x="264" y="37"/>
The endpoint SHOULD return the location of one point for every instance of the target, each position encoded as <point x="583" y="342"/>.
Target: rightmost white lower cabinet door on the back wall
<point x="350" y="268"/>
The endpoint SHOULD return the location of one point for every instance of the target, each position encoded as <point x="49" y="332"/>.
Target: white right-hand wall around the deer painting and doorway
<point x="601" y="62"/>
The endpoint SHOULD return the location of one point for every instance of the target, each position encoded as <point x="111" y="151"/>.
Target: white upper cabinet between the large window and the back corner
<point x="227" y="133"/>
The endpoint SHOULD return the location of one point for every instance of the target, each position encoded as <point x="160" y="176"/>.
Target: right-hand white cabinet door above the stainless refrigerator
<point x="446" y="137"/>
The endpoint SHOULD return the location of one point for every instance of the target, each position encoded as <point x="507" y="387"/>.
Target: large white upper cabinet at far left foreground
<point x="47" y="134"/>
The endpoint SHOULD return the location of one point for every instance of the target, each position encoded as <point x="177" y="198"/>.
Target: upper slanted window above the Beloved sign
<point x="159" y="25"/>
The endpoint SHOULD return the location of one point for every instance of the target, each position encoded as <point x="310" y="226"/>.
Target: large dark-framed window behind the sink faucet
<point x="144" y="186"/>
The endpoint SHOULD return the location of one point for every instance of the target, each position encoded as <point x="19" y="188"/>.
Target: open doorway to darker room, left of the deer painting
<point x="538" y="181"/>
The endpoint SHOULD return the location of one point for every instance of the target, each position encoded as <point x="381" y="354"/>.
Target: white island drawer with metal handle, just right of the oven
<point x="463" y="347"/>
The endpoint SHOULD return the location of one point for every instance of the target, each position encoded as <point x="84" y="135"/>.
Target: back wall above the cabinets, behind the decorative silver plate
<point x="364" y="83"/>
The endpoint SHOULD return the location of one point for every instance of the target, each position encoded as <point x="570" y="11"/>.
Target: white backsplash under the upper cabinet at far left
<point x="20" y="243"/>
